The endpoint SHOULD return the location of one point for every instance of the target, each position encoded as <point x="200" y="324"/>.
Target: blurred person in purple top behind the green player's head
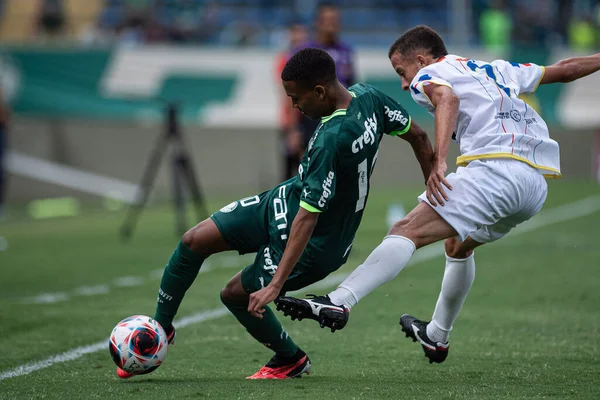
<point x="327" y="37"/>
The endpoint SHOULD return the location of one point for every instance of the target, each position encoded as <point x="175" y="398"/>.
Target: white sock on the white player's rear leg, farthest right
<point x="458" y="278"/>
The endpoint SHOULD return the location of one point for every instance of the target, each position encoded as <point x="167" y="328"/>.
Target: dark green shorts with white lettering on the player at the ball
<point x="261" y="224"/>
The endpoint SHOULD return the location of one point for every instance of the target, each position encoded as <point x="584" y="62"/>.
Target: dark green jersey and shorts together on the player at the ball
<point x="333" y="180"/>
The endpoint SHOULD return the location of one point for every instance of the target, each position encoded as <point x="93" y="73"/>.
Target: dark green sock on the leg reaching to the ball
<point x="179" y="275"/>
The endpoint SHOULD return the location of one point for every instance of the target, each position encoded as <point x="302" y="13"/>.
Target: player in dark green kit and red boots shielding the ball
<point x="303" y="229"/>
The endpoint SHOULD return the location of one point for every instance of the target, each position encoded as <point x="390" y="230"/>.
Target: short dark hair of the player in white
<point x="421" y="37"/>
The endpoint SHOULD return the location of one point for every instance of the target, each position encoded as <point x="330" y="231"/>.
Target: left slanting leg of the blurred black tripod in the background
<point x="146" y="185"/>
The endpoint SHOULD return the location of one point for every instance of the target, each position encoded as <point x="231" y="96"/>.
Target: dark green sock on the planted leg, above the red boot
<point x="267" y="330"/>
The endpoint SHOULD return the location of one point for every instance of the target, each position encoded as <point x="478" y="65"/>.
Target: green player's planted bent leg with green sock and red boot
<point x="289" y="360"/>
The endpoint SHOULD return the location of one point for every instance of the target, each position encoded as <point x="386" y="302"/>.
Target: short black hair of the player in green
<point x="309" y="67"/>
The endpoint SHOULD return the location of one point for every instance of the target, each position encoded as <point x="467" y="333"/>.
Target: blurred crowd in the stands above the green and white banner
<point x="491" y="23"/>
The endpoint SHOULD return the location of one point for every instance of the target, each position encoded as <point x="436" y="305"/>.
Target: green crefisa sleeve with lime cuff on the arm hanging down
<point x="318" y="188"/>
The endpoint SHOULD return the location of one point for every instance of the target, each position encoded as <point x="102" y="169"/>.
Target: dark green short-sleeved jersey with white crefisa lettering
<point x="334" y="175"/>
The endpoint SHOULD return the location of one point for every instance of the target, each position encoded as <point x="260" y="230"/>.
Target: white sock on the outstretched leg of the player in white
<point x="382" y="265"/>
